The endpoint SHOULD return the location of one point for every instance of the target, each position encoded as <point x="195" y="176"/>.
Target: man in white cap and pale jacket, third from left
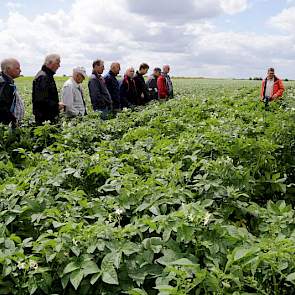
<point x="72" y="94"/>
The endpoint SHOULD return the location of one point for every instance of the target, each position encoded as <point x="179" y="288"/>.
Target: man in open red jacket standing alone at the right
<point x="272" y="87"/>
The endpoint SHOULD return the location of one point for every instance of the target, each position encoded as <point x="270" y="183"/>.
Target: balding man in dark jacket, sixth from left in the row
<point x="128" y="93"/>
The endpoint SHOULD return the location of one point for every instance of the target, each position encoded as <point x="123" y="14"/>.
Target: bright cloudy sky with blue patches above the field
<point x="211" y="38"/>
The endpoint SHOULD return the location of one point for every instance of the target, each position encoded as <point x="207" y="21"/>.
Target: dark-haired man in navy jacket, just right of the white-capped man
<point x="100" y="97"/>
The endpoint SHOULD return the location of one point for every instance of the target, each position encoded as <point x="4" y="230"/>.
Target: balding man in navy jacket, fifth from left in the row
<point x="113" y="85"/>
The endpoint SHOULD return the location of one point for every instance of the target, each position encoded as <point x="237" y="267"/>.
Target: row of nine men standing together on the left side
<point x="108" y="94"/>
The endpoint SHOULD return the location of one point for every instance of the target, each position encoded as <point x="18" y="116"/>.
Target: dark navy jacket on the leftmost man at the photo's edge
<point x="7" y="94"/>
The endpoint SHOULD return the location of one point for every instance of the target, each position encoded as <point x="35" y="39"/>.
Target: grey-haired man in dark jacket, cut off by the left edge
<point x="10" y="69"/>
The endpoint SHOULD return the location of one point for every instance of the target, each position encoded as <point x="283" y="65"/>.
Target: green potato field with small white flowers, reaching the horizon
<point x="193" y="196"/>
